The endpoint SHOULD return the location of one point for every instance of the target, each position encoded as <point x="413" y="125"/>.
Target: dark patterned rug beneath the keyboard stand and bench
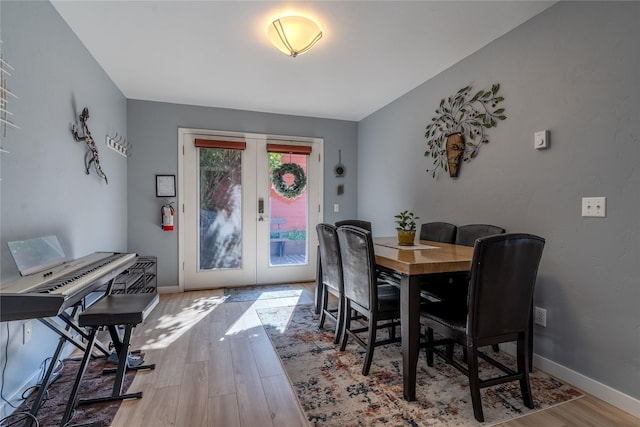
<point x="94" y="384"/>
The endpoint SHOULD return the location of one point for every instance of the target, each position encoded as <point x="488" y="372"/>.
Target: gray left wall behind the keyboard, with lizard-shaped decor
<point x="44" y="188"/>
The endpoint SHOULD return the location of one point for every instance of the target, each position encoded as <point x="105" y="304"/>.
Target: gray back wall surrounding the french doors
<point x="153" y="129"/>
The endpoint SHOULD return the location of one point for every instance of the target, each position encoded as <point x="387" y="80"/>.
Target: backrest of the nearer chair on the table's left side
<point x="358" y="265"/>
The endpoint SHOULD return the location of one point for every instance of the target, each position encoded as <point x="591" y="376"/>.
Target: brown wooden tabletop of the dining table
<point x="425" y="257"/>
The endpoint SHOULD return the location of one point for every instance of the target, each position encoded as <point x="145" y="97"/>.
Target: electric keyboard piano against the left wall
<point x="50" y="292"/>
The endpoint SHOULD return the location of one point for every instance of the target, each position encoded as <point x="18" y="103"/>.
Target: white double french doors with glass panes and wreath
<point x="238" y="224"/>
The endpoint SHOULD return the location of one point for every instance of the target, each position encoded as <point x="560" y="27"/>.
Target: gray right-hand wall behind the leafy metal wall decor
<point x="572" y="70"/>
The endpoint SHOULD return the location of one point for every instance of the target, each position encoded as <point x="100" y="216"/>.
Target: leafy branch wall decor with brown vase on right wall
<point x="458" y="118"/>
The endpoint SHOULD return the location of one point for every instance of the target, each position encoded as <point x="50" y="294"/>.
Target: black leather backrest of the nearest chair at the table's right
<point x="503" y="276"/>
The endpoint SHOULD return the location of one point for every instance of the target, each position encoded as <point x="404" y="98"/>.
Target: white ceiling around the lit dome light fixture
<point x="215" y="53"/>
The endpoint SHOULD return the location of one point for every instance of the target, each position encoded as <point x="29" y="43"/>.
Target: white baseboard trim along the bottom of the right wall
<point x="602" y="391"/>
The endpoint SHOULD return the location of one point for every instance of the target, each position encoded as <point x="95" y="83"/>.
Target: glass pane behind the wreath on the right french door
<point x="288" y="216"/>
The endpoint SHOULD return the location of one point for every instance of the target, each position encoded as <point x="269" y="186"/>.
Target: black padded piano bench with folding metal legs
<point x="126" y="310"/>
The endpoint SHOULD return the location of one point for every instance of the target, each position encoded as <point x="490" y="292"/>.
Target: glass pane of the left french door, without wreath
<point x="220" y="245"/>
